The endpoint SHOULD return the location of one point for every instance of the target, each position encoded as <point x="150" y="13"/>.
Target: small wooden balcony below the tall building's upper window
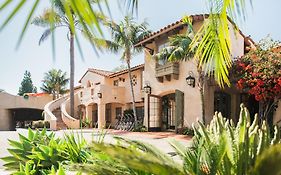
<point x="167" y="71"/>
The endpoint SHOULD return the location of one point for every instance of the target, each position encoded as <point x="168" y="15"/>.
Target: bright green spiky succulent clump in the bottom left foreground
<point x="41" y="152"/>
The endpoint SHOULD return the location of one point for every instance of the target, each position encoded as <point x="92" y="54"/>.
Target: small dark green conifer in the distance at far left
<point x="27" y="85"/>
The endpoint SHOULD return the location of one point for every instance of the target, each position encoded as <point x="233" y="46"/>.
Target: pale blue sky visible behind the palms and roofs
<point x="262" y="20"/>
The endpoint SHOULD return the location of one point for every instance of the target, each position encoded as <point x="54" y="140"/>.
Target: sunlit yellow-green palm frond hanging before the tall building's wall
<point x="213" y="50"/>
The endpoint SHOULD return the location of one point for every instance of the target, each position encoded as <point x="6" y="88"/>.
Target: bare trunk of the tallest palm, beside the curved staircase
<point x="72" y="75"/>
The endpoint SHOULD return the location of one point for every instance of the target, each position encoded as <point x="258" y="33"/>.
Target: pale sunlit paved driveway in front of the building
<point x="157" y="139"/>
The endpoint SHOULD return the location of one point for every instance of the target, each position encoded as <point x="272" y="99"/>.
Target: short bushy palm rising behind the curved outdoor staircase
<point x="54" y="82"/>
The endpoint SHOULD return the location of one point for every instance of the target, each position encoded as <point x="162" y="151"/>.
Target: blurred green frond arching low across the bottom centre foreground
<point x="133" y="157"/>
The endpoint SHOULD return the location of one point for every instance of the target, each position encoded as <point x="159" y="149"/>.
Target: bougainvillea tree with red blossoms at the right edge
<point x="258" y="73"/>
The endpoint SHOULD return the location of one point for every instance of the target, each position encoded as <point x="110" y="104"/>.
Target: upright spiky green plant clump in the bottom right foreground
<point x="226" y="148"/>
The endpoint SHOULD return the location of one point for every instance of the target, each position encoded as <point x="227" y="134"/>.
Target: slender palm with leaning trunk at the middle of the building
<point x="124" y="36"/>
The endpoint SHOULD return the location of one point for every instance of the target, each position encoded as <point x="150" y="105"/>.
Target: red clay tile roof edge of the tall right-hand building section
<point x="179" y="24"/>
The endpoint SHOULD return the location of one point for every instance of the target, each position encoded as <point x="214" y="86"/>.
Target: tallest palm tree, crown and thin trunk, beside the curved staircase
<point x="60" y="16"/>
